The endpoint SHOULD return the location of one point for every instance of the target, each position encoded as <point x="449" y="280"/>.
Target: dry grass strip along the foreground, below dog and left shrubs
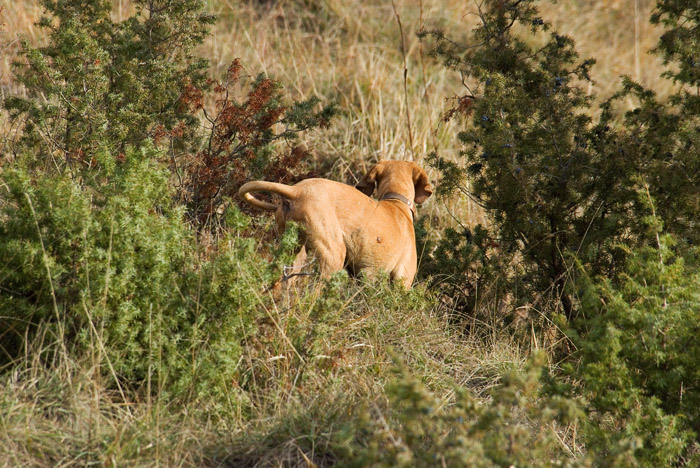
<point x="61" y="413"/>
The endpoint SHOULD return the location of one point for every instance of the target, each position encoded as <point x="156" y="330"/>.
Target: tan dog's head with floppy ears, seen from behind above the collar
<point x="406" y="178"/>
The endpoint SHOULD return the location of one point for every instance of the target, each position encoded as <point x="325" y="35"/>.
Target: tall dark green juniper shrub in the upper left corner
<point x="103" y="86"/>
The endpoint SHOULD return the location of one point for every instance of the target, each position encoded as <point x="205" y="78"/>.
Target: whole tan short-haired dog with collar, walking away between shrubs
<point x="344" y="228"/>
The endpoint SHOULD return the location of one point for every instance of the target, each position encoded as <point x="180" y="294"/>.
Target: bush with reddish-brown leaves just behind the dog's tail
<point x="239" y="142"/>
